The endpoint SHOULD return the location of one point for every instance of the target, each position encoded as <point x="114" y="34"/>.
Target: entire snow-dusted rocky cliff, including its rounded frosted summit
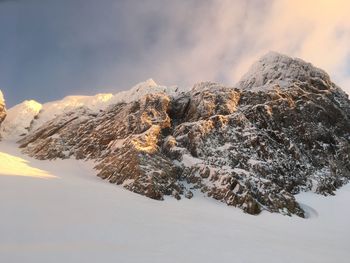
<point x="284" y="129"/>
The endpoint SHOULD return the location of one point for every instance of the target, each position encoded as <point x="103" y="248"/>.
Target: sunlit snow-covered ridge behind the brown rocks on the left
<point x="34" y="114"/>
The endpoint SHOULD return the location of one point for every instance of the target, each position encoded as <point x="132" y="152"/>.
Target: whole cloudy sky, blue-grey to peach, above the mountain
<point x="50" y="49"/>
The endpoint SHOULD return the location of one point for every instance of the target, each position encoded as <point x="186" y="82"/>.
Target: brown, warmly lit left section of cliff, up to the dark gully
<point x="124" y="138"/>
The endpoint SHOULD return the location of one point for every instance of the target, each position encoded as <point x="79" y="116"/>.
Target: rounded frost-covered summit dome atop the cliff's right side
<point x="275" y="68"/>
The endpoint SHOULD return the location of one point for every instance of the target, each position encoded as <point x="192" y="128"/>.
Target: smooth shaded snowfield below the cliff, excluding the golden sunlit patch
<point x="80" y="218"/>
